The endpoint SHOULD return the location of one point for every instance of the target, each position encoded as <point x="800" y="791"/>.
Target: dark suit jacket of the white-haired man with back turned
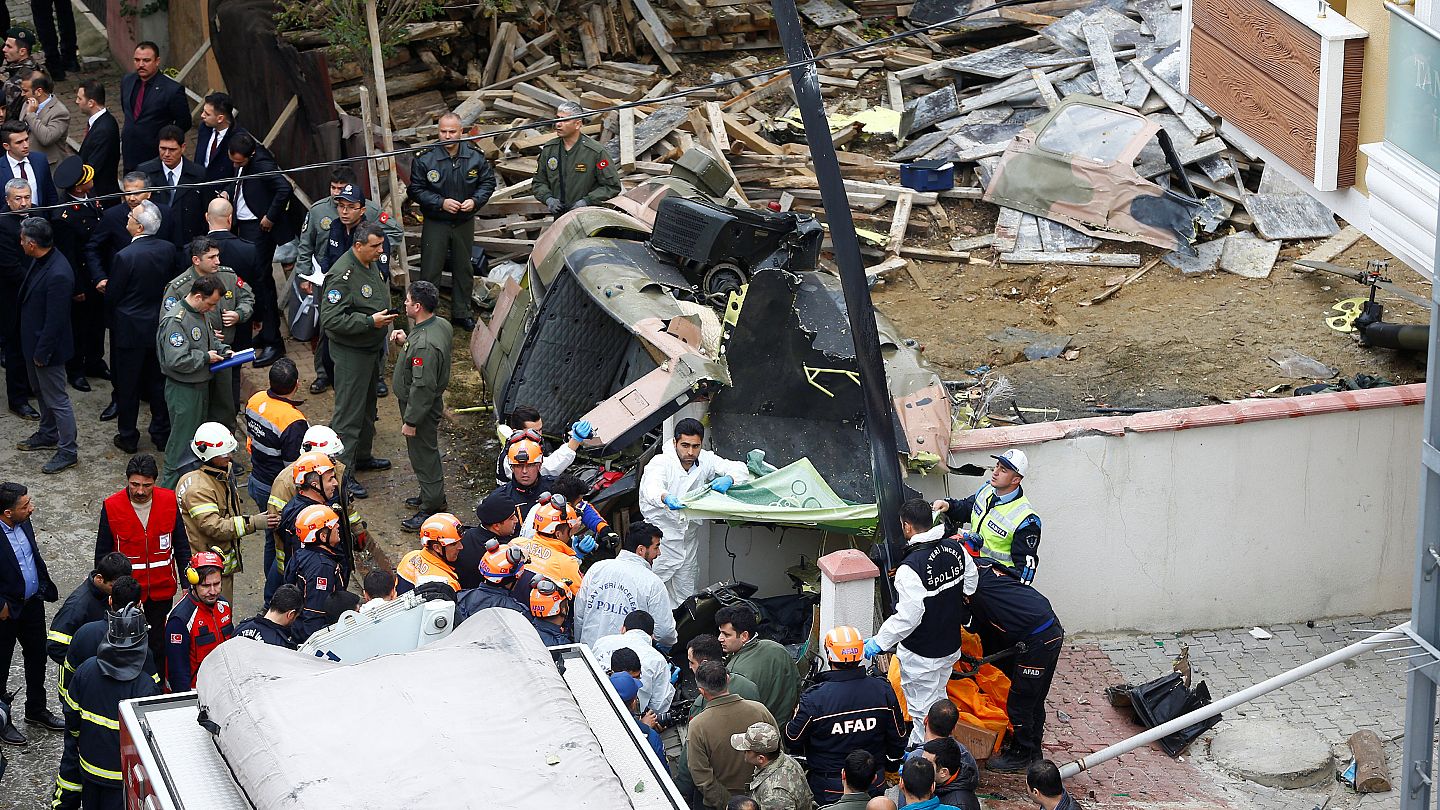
<point x="138" y="285"/>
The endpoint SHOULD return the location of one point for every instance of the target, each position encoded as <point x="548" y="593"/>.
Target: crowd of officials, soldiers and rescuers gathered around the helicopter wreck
<point x="176" y="260"/>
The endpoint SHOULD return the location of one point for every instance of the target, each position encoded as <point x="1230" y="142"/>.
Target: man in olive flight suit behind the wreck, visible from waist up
<point x="575" y="171"/>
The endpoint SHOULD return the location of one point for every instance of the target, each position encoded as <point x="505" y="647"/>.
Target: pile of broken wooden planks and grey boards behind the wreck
<point x="947" y="99"/>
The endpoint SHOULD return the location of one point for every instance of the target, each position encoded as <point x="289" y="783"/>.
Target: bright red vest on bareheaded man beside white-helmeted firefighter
<point x="153" y="548"/>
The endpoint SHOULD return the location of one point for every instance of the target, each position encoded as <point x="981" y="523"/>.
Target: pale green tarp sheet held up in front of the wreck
<point x="794" y="495"/>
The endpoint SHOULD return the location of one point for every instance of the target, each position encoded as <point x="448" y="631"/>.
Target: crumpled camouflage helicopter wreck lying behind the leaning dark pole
<point x="670" y="296"/>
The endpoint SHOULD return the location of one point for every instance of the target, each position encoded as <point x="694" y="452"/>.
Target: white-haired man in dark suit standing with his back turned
<point x="133" y="296"/>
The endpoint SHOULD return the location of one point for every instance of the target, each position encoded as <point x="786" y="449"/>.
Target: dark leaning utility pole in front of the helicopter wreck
<point x="885" y="455"/>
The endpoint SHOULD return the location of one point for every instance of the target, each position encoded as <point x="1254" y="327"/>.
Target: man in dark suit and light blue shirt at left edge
<point x="25" y="587"/>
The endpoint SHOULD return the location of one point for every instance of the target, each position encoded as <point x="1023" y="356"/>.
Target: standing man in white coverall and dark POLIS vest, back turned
<point x="931" y="587"/>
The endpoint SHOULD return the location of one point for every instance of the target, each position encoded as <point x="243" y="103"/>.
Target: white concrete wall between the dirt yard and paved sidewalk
<point x="1180" y="530"/>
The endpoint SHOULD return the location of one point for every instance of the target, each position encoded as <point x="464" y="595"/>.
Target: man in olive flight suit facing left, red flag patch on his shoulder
<point x="421" y="377"/>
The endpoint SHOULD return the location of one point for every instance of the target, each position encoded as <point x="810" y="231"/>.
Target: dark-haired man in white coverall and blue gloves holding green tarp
<point x="682" y="469"/>
